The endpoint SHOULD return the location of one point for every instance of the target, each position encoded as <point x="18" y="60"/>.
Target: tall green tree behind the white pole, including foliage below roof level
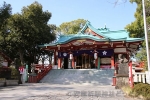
<point x="136" y="28"/>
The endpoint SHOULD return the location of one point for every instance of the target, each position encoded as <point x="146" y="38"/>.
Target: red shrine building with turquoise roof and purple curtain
<point x="93" y="48"/>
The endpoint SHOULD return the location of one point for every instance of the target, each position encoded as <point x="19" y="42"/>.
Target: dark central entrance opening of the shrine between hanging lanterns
<point x="84" y="61"/>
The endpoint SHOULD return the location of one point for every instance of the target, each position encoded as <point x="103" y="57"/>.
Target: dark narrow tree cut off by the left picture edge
<point x="5" y="14"/>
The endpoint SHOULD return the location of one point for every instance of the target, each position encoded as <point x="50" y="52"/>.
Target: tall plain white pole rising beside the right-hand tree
<point x="146" y="39"/>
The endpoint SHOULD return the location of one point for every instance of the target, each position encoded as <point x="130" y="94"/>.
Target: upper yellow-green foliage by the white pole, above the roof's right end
<point x="136" y="28"/>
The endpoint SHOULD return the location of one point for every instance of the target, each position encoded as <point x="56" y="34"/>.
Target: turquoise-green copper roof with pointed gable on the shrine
<point x="120" y="35"/>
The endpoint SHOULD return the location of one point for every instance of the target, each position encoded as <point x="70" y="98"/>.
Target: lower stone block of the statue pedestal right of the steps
<point x="121" y="80"/>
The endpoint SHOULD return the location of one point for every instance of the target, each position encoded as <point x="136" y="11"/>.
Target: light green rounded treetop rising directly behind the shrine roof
<point x="72" y="27"/>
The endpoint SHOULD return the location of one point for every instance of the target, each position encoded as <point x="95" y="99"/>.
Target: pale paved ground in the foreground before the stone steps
<point x="45" y="91"/>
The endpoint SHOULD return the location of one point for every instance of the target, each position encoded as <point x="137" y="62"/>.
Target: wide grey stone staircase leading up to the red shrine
<point x="79" y="76"/>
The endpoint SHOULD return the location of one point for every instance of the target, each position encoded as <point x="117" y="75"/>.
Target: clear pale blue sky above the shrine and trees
<point x="98" y="12"/>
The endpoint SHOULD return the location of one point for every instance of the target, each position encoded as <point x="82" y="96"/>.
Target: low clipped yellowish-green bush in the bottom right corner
<point x="141" y="89"/>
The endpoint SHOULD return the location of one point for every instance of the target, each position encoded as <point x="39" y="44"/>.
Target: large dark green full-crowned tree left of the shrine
<point x="28" y="30"/>
